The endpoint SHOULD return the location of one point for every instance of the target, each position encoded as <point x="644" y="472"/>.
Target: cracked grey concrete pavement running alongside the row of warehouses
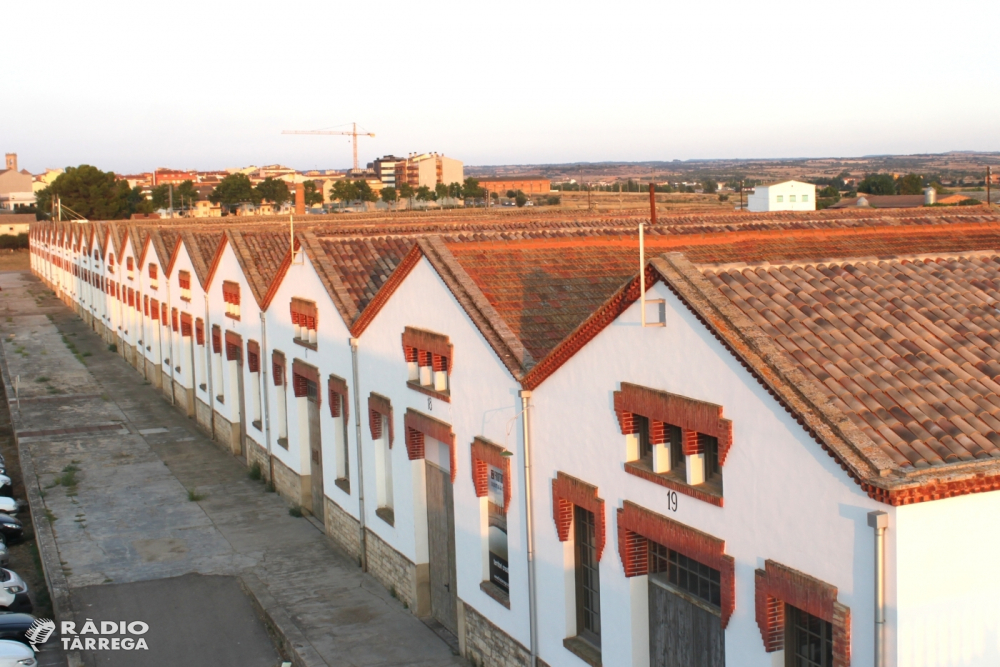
<point x="126" y="515"/>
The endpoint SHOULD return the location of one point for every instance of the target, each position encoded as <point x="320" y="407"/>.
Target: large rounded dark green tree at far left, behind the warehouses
<point x="88" y="192"/>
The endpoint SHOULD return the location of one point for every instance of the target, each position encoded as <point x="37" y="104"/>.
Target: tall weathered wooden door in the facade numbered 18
<point x="441" y="544"/>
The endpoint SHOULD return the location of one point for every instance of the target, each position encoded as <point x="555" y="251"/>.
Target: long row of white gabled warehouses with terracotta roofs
<point x="557" y="465"/>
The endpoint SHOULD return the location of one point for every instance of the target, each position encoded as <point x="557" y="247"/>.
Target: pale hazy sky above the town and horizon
<point x="131" y="85"/>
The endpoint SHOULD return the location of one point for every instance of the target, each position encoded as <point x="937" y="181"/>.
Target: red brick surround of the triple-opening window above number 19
<point x="695" y="418"/>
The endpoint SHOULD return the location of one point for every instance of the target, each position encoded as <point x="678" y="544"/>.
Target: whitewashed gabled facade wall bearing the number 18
<point x="484" y="399"/>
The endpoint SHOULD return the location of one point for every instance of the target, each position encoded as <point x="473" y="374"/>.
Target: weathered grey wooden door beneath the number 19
<point x="683" y="632"/>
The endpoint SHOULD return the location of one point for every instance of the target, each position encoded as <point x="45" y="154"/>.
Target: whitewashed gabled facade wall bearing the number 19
<point x="785" y="498"/>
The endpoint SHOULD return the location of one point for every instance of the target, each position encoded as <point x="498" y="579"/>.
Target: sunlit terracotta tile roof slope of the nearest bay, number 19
<point x="908" y="350"/>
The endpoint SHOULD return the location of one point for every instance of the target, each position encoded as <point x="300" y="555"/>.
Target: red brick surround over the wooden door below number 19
<point x="638" y="526"/>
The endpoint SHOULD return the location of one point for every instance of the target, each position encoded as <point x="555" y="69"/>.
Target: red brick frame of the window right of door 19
<point x="777" y="585"/>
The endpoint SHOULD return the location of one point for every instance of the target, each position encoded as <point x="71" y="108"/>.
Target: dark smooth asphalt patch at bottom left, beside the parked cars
<point x="175" y="610"/>
